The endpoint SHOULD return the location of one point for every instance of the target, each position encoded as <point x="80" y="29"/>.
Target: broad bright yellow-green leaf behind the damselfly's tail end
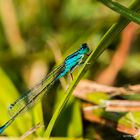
<point x="9" y="94"/>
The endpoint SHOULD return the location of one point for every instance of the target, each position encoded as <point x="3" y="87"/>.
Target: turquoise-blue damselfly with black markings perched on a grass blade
<point x="32" y="96"/>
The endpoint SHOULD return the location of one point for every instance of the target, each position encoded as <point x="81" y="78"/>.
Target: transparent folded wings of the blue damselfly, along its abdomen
<point x="35" y="93"/>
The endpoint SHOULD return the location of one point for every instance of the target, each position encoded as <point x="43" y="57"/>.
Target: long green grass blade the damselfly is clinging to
<point x="103" y="44"/>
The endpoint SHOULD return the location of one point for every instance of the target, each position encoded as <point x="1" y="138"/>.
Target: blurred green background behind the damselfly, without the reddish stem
<point x="35" y="36"/>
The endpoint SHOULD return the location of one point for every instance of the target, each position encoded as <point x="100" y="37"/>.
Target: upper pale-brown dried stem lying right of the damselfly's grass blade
<point x="86" y="87"/>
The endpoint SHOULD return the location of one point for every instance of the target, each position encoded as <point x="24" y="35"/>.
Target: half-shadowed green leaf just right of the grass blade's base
<point x="69" y="123"/>
